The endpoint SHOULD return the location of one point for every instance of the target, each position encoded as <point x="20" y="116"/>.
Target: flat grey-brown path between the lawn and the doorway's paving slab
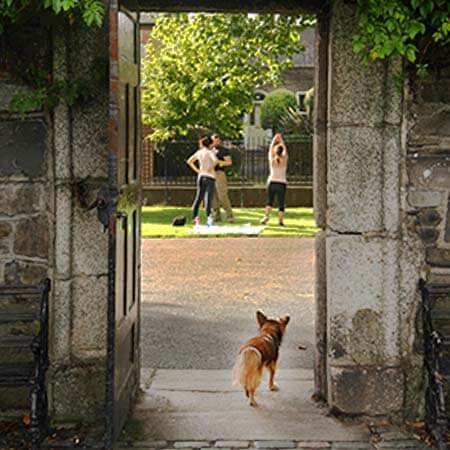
<point x="200" y="297"/>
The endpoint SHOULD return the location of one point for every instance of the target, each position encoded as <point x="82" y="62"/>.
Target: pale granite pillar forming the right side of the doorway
<point x="365" y="253"/>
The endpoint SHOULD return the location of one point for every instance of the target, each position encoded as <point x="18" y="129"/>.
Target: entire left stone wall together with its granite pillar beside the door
<point x="44" y="231"/>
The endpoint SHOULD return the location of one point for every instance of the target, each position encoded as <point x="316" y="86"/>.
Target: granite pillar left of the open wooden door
<point x="77" y="376"/>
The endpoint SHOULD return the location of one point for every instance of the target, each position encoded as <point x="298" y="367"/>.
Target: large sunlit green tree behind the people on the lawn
<point x="200" y="70"/>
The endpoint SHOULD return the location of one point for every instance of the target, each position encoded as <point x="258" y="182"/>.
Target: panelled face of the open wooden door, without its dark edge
<point x="128" y="207"/>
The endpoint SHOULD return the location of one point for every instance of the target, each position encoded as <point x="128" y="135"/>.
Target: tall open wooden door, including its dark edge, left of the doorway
<point x="124" y="219"/>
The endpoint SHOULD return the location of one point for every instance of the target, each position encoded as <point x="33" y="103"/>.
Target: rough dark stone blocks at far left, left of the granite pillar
<point x="25" y="185"/>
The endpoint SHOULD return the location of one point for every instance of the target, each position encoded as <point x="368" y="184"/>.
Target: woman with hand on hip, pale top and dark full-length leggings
<point x="205" y="169"/>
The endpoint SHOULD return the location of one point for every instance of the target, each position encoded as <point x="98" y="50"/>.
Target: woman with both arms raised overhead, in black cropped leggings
<point x="276" y="183"/>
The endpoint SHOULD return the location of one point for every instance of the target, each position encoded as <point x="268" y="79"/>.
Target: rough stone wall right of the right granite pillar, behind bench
<point x="427" y="187"/>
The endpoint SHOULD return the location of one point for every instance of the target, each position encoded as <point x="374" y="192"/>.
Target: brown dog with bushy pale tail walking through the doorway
<point x="257" y="353"/>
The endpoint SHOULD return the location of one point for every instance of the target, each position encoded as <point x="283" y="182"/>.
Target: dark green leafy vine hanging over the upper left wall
<point x="42" y="92"/>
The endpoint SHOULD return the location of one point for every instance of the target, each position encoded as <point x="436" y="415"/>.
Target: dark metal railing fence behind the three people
<point x="250" y="166"/>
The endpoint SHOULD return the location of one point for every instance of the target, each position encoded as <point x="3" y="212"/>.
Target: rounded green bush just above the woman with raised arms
<point x="275" y="107"/>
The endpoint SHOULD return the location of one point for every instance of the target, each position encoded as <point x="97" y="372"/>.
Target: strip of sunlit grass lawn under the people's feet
<point x="157" y="221"/>
